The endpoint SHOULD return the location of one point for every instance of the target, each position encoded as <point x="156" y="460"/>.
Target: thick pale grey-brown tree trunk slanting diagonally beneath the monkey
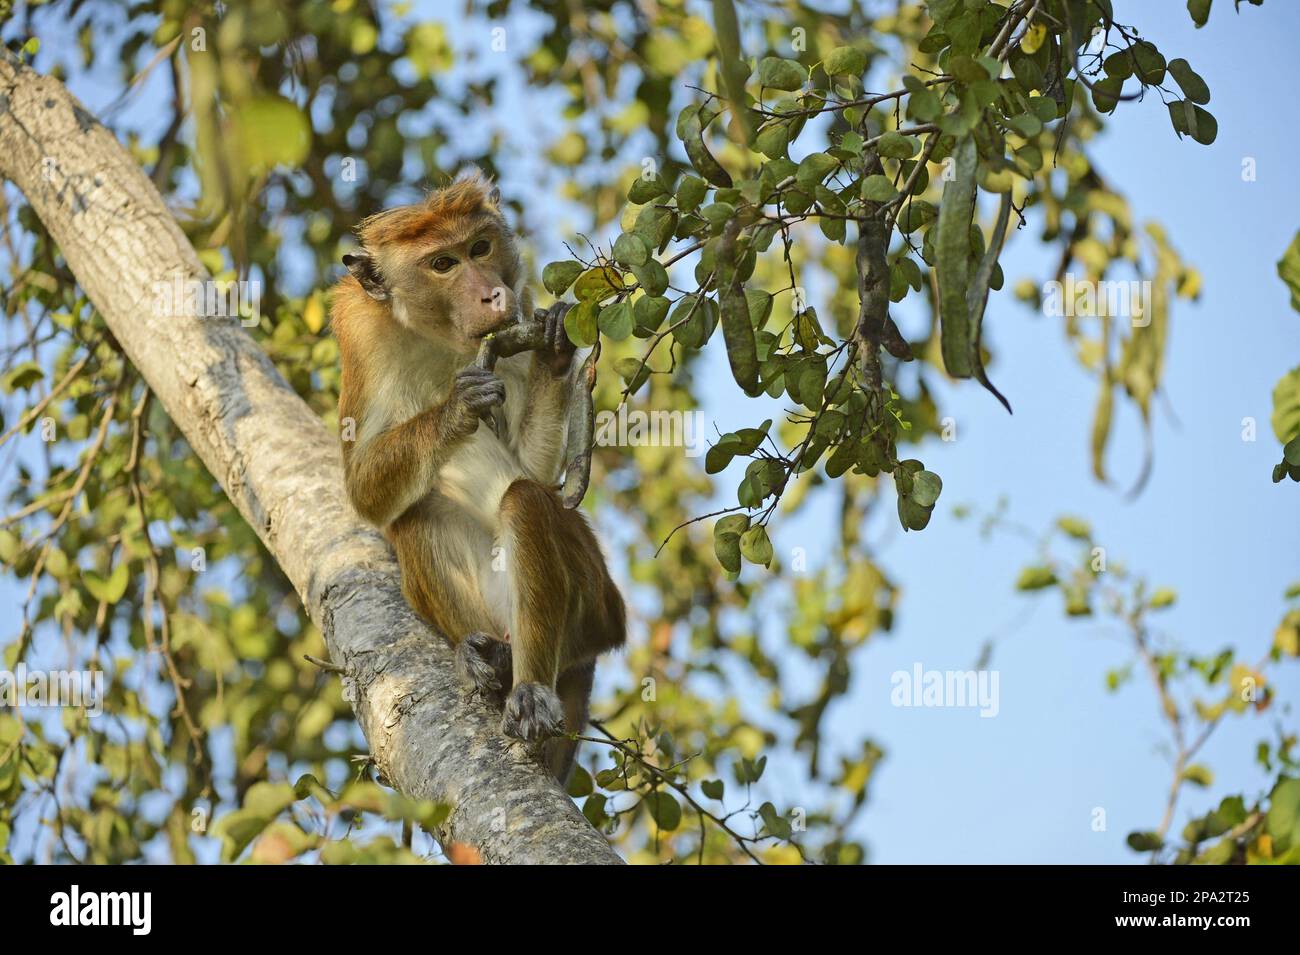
<point x="283" y="470"/>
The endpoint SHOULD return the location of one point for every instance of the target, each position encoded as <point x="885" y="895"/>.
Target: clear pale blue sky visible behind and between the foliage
<point x="1024" y="787"/>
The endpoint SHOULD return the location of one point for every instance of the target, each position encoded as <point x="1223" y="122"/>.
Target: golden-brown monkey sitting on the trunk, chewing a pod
<point x="488" y="553"/>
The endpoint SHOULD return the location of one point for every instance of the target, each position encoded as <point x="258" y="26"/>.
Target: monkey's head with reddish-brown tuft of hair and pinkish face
<point x="448" y="267"/>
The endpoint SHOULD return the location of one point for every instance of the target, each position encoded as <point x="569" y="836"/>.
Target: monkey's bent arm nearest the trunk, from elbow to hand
<point x="389" y="472"/>
